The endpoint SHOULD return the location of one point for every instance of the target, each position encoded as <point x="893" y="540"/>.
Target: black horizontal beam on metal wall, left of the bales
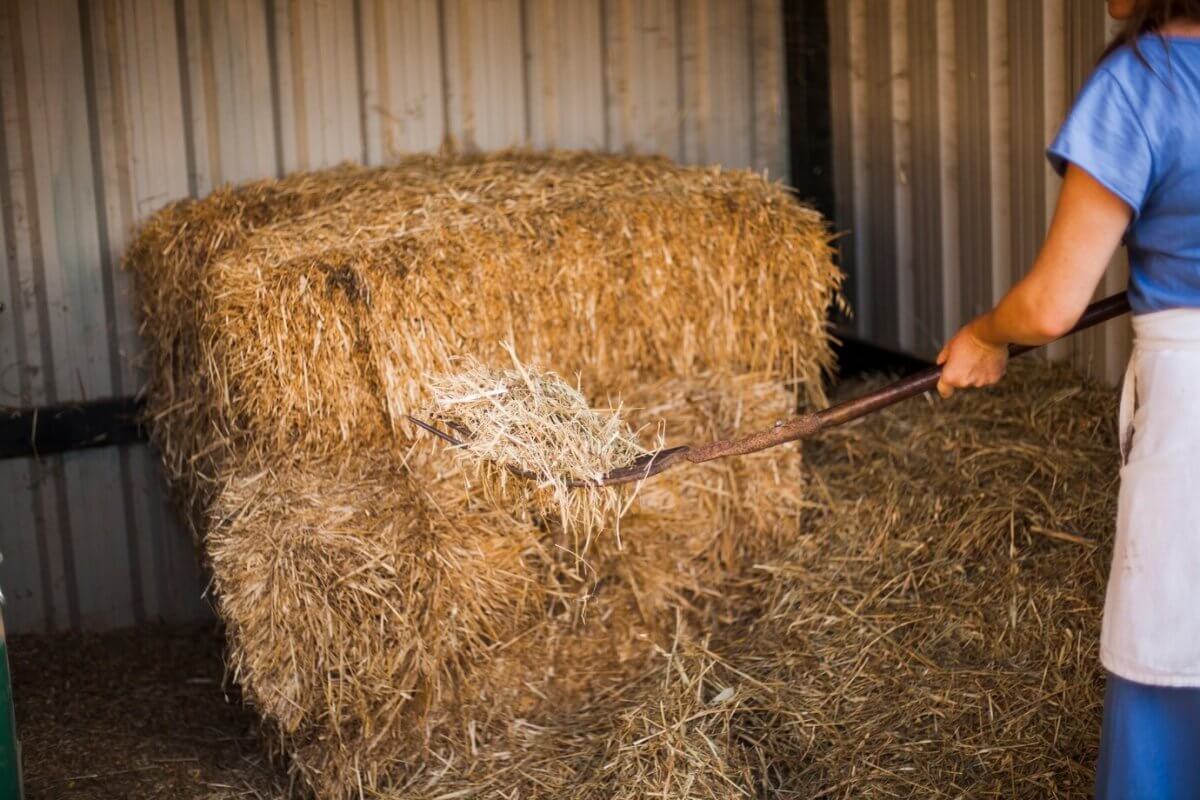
<point x="58" y="429"/>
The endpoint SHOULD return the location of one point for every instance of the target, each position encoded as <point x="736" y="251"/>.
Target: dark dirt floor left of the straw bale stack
<point x="135" y="714"/>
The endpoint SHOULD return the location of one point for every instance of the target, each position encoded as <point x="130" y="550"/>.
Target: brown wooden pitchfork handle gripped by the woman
<point x="808" y="425"/>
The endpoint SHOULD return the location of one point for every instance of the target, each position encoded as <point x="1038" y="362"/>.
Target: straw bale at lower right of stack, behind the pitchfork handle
<point x="688" y="528"/>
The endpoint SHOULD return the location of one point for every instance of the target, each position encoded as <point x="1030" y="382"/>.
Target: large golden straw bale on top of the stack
<point x="299" y="316"/>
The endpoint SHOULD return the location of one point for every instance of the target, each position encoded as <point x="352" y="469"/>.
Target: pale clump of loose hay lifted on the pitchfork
<point x="532" y="438"/>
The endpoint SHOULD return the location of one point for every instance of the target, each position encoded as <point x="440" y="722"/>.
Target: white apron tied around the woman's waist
<point x="1151" y="628"/>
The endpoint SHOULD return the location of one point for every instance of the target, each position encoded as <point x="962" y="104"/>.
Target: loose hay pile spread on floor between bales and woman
<point x="932" y="633"/>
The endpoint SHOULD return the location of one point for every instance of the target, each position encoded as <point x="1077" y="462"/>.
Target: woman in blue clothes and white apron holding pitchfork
<point x="1130" y="154"/>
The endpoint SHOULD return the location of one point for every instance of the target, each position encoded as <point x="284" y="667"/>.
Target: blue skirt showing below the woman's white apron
<point x="1150" y="743"/>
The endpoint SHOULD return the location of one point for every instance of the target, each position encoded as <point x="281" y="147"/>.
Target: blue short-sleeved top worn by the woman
<point x="1136" y="129"/>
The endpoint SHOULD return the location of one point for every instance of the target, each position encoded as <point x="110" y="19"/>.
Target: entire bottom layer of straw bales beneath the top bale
<point x="373" y="618"/>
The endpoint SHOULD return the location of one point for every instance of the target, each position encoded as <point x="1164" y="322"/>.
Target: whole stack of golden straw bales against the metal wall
<point x="393" y="628"/>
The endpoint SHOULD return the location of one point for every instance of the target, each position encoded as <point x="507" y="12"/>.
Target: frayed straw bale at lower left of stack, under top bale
<point x="357" y="604"/>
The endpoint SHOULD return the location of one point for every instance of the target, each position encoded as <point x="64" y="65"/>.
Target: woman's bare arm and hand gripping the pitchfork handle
<point x="1046" y="304"/>
